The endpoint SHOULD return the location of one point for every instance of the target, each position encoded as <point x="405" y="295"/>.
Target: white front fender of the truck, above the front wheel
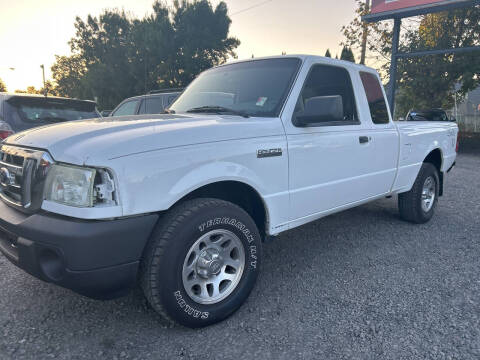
<point x="153" y="182"/>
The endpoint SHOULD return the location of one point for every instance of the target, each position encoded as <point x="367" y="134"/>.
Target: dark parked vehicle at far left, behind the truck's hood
<point x="19" y="112"/>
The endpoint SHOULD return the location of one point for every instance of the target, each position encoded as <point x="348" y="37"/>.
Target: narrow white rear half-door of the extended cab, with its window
<point x="384" y="134"/>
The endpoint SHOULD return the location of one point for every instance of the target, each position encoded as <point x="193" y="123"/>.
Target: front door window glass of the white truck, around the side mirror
<point x="326" y="80"/>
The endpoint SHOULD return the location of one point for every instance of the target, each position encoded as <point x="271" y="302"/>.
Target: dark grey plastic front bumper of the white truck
<point x="98" y="259"/>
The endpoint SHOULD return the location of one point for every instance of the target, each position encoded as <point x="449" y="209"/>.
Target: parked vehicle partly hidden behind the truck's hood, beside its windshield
<point x="155" y="102"/>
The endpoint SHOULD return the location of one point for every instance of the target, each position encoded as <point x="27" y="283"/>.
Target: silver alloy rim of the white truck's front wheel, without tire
<point x="213" y="266"/>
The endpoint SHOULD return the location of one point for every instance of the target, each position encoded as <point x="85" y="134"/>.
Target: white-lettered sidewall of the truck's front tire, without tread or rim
<point x="178" y="303"/>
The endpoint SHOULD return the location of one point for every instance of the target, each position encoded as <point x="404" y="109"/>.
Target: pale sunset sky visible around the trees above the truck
<point x="32" y="32"/>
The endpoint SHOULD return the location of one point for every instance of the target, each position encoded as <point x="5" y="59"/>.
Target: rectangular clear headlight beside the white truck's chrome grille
<point x="70" y="185"/>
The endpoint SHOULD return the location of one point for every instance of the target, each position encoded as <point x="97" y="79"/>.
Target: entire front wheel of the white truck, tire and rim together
<point x="202" y="262"/>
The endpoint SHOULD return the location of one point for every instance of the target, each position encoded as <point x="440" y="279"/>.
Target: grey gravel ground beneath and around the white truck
<point x="361" y="284"/>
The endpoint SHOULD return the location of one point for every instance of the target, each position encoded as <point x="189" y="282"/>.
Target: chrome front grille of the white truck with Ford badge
<point x="22" y="173"/>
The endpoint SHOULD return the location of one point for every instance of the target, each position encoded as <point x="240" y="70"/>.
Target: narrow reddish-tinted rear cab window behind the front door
<point x="376" y="100"/>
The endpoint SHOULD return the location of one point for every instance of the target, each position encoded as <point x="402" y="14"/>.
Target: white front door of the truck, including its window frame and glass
<point x="330" y="163"/>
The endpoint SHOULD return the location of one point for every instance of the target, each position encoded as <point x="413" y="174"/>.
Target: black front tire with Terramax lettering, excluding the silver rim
<point x="164" y="256"/>
